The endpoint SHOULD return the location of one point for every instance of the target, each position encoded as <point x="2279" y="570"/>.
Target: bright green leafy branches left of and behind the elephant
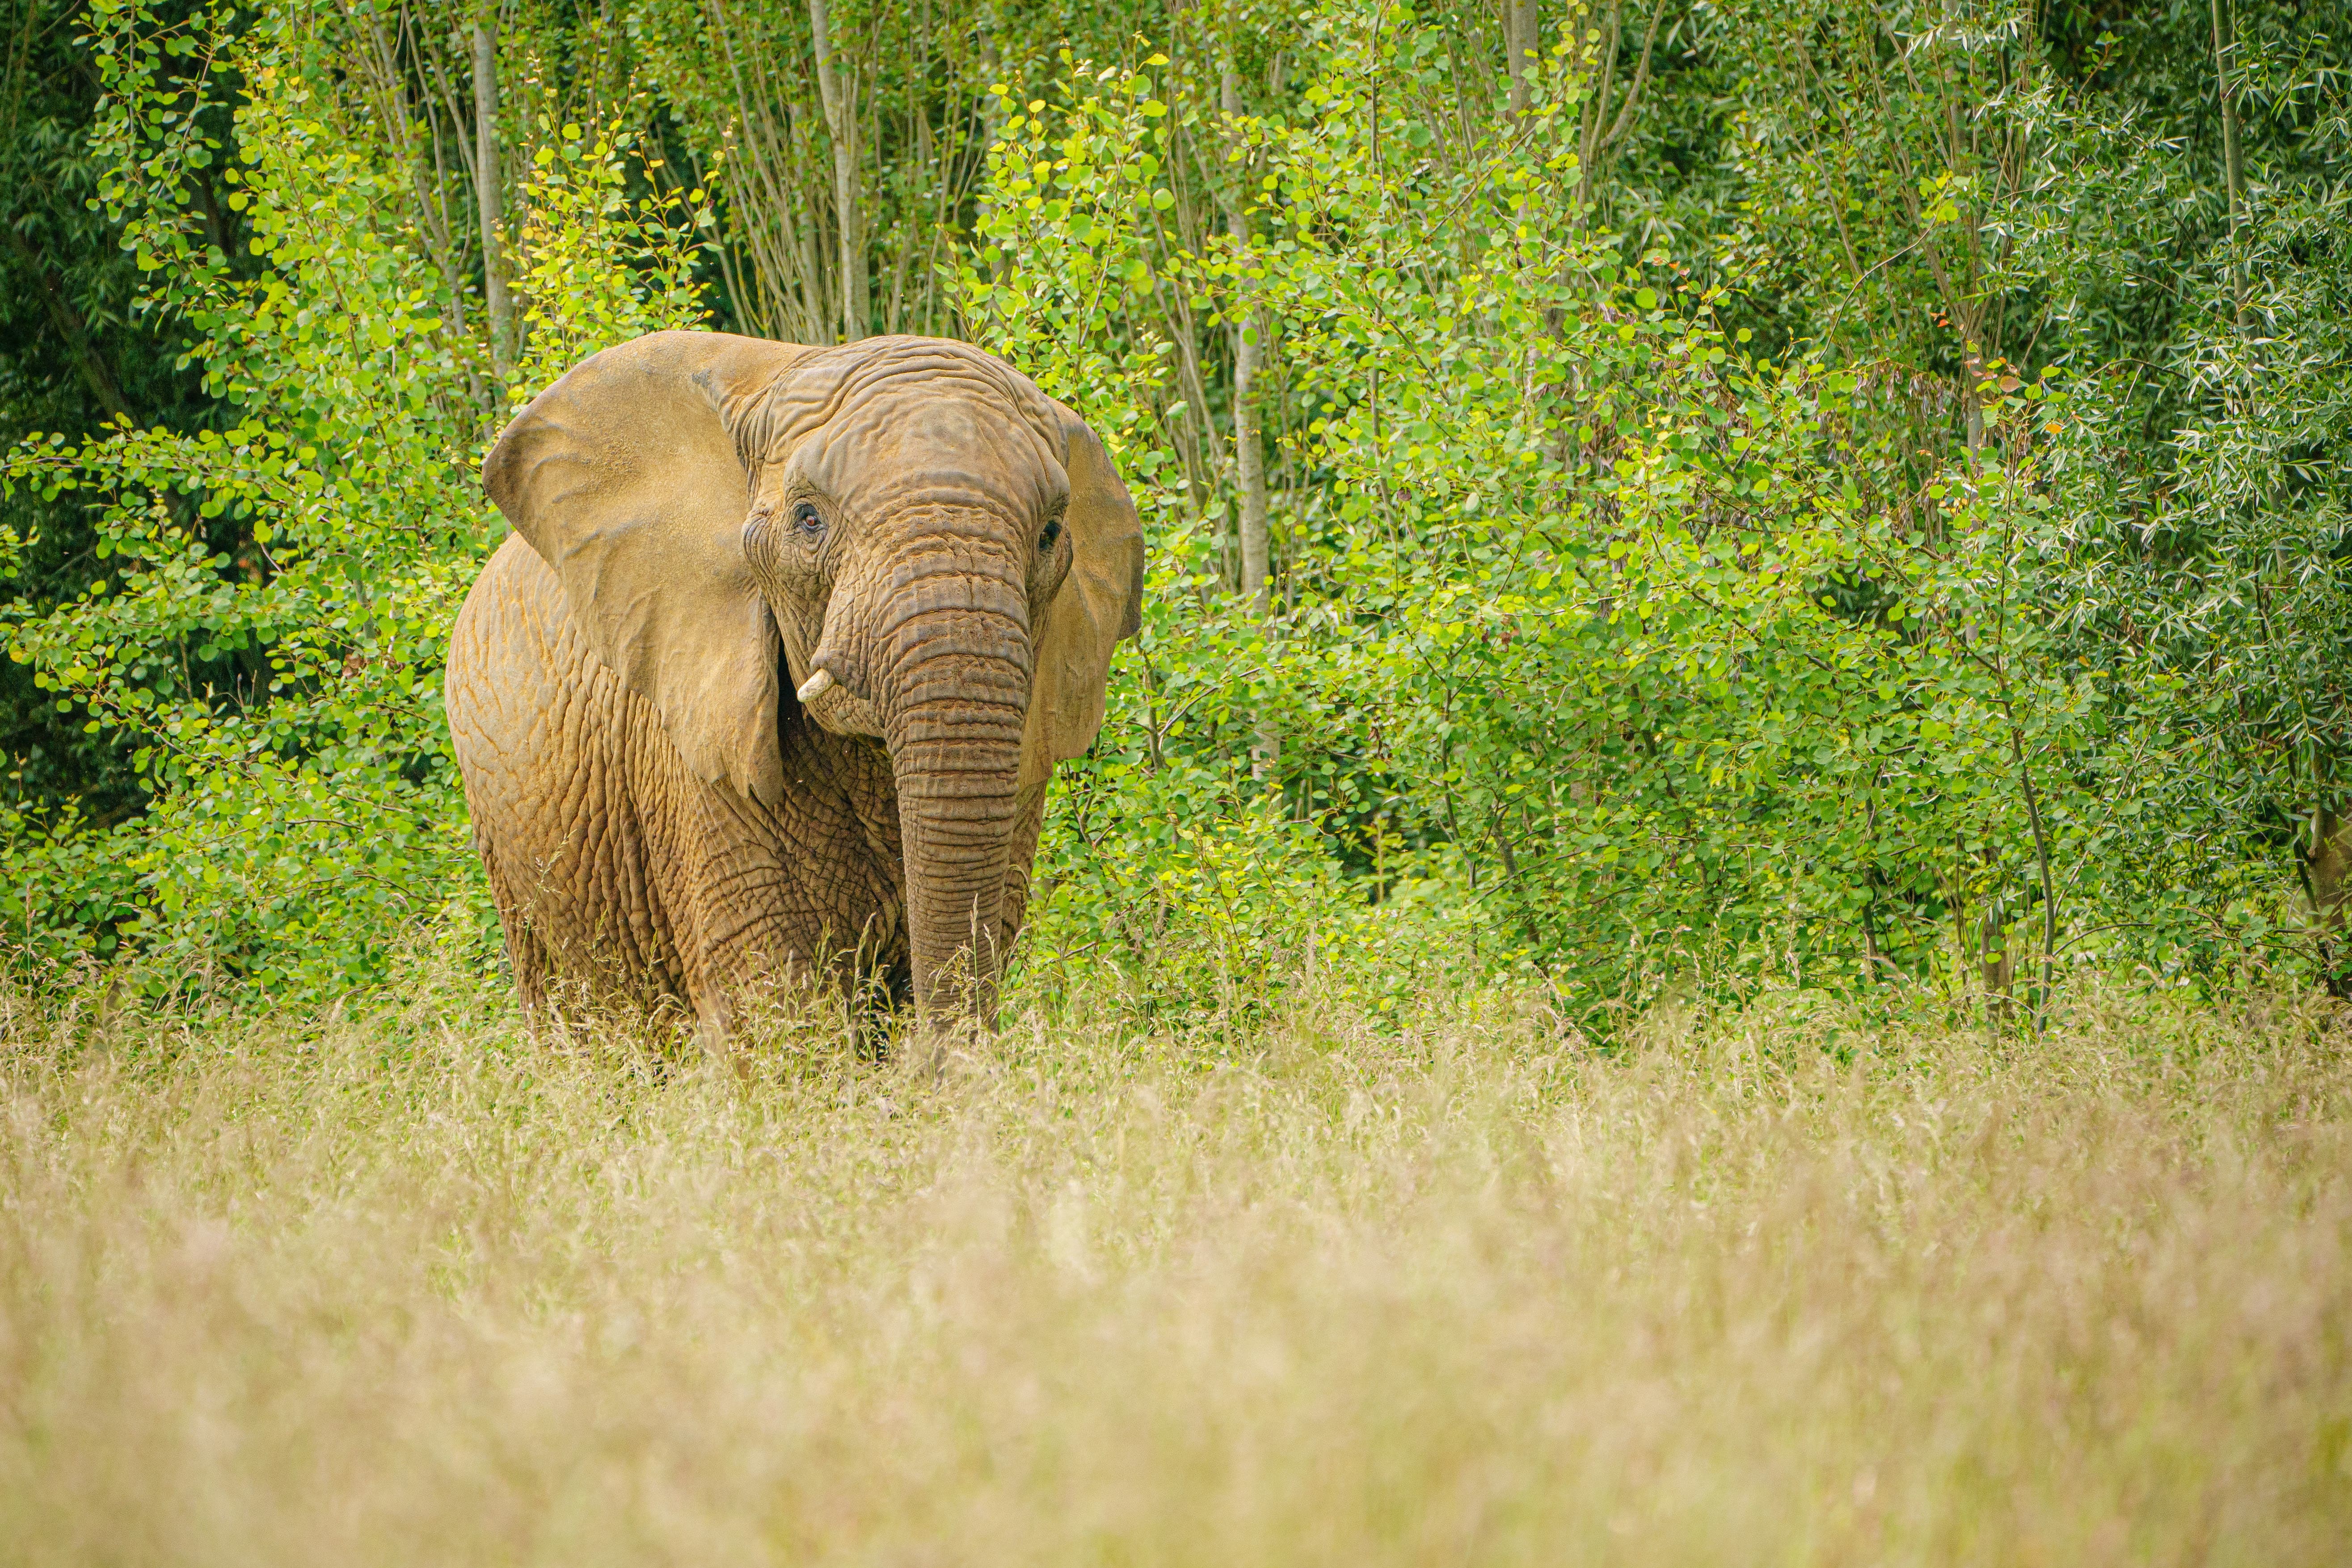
<point x="283" y="690"/>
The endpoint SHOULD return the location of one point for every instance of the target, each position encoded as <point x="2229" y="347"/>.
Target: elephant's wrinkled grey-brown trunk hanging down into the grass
<point x="961" y="681"/>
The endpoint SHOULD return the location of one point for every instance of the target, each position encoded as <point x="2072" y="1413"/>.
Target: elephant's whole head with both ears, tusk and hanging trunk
<point x="904" y="532"/>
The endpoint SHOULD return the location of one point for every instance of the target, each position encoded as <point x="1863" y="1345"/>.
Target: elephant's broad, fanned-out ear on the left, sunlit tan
<point x="627" y="478"/>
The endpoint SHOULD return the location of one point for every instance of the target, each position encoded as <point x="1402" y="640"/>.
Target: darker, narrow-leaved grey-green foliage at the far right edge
<point x="2214" y="558"/>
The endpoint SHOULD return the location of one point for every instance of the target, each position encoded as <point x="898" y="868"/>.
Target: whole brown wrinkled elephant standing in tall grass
<point x="773" y="674"/>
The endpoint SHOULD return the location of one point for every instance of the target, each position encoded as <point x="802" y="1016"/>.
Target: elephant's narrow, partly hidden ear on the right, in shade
<point x="1097" y="605"/>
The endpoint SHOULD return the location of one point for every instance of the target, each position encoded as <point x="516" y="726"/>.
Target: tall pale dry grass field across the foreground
<point x="403" y="1287"/>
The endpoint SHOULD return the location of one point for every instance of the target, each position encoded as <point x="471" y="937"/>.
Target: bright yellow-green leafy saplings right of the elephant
<point x="1655" y="638"/>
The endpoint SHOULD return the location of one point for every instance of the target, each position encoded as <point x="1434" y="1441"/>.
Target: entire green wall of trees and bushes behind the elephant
<point x="1648" y="497"/>
